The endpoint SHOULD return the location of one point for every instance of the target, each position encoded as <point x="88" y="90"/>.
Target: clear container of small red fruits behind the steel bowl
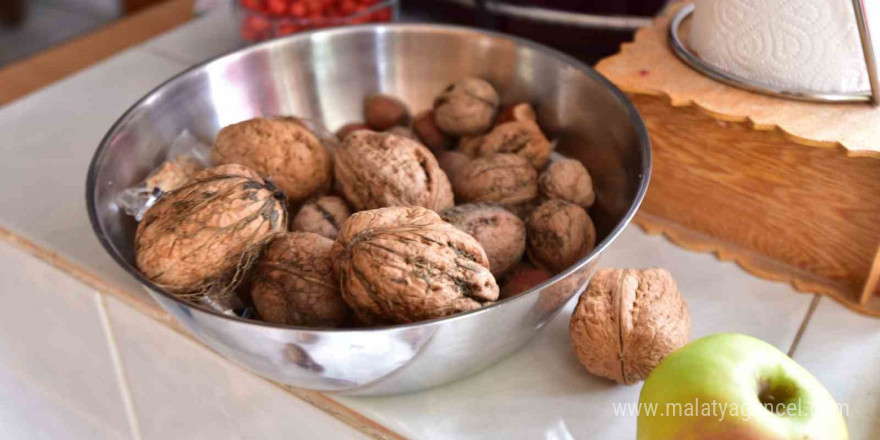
<point x="264" y="19"/>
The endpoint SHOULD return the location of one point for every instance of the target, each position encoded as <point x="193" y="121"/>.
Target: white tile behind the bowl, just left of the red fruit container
<point x="214" y="33"/>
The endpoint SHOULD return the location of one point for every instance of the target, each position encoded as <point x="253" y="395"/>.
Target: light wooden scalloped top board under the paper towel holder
<point x="648" y="66"/>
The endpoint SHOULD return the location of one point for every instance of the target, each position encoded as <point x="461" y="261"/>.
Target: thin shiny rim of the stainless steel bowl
<point x="636" y="119"/>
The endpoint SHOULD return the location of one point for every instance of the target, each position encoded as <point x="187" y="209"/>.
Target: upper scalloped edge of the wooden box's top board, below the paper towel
<point x="662" y="22"/>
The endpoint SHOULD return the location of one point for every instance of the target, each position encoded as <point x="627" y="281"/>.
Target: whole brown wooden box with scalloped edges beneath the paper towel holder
<point x="790" y="190"/>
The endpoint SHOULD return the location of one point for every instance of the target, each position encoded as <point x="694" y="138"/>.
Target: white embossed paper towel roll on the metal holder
<point x="794" y="44"/>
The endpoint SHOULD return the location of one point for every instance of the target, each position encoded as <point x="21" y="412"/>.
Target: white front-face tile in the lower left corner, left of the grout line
<point x="56" y="373"/>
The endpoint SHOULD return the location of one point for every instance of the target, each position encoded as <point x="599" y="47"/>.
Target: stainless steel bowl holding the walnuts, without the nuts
<point x="323" y="76"/>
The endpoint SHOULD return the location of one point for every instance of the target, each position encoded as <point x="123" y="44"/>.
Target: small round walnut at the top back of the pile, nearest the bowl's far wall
<point x="467" y="106"/>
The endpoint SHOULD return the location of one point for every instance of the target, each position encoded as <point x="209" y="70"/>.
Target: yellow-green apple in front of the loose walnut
<point x="730" y="368"/>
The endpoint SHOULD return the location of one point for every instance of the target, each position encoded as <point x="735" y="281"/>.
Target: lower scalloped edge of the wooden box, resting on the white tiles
<point x="752" y="263"/>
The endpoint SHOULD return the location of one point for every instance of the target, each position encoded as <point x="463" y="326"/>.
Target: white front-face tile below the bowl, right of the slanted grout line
<point x="180" y="389"/>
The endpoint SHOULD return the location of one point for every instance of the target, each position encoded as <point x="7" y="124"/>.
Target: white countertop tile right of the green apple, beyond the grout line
<point x="842" y="349"/>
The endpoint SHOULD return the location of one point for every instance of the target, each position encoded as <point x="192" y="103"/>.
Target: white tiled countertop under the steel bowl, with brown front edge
<point x="99" y="360"/>
